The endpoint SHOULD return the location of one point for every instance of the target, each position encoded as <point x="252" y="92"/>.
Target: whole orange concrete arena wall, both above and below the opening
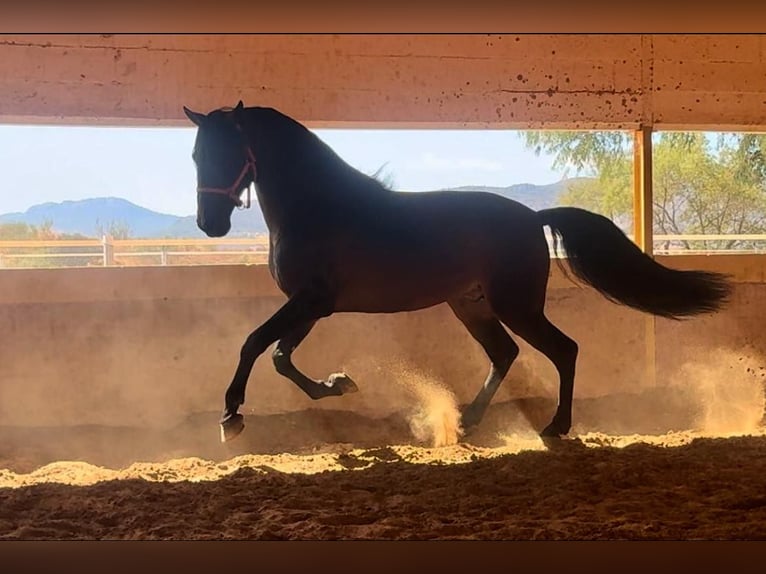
<point x="151" y="346"/>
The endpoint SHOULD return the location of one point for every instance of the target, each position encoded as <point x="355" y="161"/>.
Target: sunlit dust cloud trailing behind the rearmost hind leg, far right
<point x="717" y="394"/>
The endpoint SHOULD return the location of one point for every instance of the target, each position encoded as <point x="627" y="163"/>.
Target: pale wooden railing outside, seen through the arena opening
<point x="108" y="252"/>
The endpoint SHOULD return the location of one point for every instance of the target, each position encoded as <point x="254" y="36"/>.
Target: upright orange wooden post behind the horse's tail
<point x="643" y="220"/>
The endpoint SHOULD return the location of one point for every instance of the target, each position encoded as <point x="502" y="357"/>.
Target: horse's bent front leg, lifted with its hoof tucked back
<point x="336" y="385"/>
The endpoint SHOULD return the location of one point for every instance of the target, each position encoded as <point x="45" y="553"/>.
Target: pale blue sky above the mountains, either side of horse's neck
<point x="152" y="167"/>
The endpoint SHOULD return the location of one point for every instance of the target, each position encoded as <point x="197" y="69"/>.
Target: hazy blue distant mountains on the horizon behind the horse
<point x="91" y="216"/>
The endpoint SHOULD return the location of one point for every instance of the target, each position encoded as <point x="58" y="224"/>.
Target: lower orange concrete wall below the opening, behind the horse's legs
<point x="152" y="346"/>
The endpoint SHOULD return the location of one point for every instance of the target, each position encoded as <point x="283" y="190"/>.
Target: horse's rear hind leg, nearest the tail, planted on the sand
<point x="535" y="328"/>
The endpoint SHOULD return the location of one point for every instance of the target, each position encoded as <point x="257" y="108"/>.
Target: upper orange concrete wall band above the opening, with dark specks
<point x="584" y="81"/>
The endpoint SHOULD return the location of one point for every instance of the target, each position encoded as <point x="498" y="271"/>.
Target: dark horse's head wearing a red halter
<point x="225" y="167"/>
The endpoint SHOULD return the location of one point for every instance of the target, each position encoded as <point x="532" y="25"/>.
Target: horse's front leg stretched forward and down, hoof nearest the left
<point x="306" y="307"/>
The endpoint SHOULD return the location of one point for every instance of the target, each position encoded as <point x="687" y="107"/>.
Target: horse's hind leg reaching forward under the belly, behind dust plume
<point x="480" y="321"/>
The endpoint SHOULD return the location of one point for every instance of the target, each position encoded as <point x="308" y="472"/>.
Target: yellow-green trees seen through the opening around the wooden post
<point x="702" y="184"/>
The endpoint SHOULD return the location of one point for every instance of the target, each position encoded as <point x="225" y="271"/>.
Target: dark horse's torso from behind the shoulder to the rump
<point x="423" y="248"/>
